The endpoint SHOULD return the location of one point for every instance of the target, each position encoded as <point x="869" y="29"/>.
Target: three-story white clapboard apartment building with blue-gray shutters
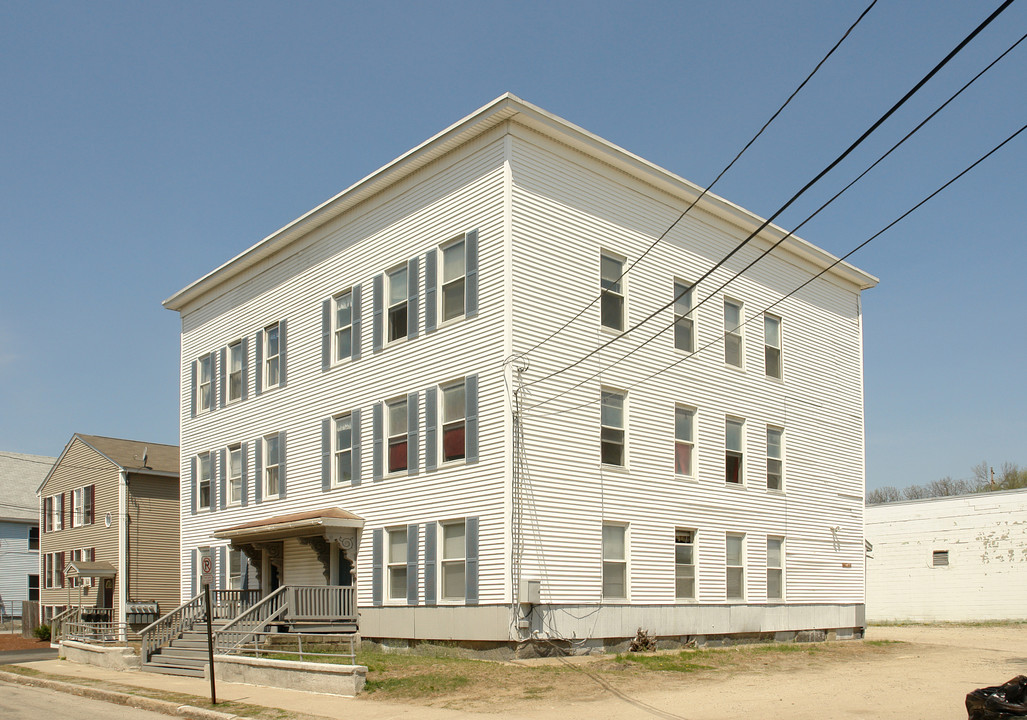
<point x="348" y="414"/>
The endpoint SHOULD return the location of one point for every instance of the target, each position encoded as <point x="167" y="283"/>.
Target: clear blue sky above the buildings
<point x="144" y="144"/>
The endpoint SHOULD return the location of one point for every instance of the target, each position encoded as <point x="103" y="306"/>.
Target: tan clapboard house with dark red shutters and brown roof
<point x="109" y="532"/>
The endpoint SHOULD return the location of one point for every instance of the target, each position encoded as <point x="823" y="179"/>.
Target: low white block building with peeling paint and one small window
<point x="948" y="559"/>
